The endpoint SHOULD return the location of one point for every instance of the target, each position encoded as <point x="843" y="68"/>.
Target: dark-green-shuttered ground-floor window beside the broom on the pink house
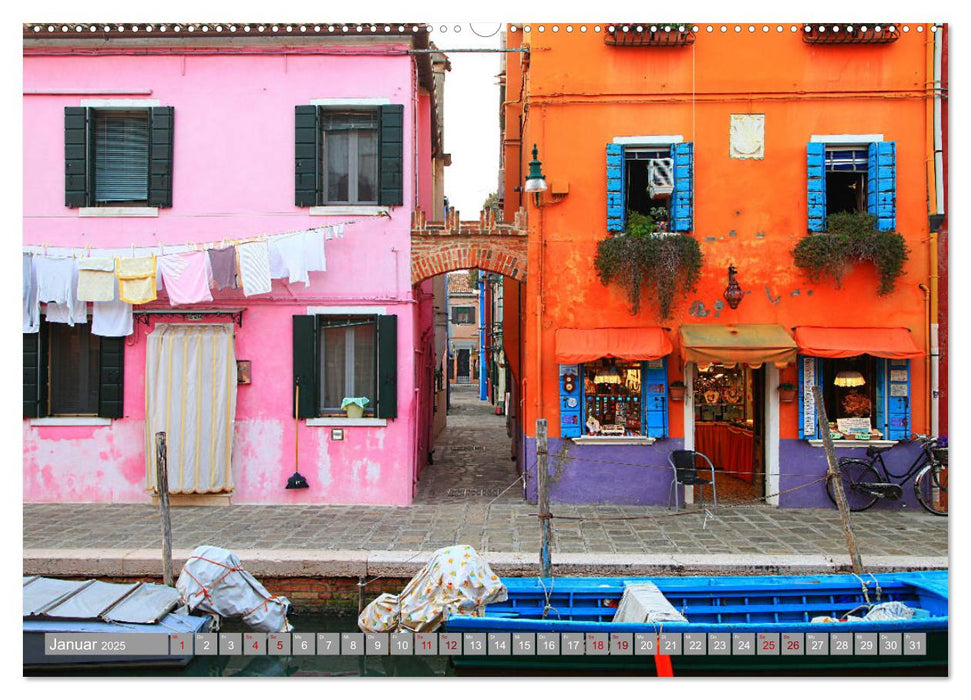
<point x="339" y="356"/>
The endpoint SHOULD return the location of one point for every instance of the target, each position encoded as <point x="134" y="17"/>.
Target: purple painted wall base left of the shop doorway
<point x="615" y="474"/>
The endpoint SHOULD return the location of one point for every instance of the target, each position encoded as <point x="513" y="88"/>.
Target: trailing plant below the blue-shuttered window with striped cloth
<point x="643" y="258"/>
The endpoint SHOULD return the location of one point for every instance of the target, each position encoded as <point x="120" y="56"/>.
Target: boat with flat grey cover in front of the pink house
<point x="57" y="606"/>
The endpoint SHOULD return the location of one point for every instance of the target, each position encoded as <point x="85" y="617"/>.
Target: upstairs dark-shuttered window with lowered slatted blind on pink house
<point x="118" y="156"/>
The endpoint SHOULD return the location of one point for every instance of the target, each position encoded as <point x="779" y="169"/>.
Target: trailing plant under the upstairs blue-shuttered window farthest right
<point x="850" y="238"/>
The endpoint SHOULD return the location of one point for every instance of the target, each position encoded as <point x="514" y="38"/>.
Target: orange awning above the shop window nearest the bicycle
<point x="891" y="343"/>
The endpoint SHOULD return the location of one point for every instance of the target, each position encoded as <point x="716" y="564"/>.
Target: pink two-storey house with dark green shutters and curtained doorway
<point x="161" y="139"/>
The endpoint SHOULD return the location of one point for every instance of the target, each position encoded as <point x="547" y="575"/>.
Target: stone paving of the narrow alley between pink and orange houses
<point x="472" y="462"/>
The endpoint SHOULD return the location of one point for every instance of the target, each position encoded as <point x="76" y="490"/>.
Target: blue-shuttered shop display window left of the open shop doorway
<point x="618" y="398"/>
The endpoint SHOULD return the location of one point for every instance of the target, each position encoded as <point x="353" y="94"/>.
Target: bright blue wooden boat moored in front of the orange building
<point x="733" y="604"/>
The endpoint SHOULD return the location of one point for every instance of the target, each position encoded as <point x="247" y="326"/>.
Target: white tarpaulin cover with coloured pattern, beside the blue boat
<point x="457" y="581"/>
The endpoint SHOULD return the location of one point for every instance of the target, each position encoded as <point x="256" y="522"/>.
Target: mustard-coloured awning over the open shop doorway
<point x="750" y="344"/>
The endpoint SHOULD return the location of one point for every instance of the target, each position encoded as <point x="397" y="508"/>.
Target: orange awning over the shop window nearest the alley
<point x="574" y="345"/>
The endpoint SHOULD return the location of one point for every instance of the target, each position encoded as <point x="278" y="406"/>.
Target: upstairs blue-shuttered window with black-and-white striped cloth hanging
<point x="651" y="180"/>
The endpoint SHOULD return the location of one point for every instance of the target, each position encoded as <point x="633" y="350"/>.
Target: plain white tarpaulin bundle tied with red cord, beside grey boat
<point x="213" y="580"/>
